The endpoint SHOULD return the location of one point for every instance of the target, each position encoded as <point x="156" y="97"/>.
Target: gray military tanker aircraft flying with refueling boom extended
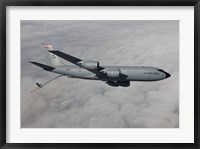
<point x="87" y="69"/>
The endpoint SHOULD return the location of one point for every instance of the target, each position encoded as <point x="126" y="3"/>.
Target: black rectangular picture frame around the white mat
<point x="5" y="3"/>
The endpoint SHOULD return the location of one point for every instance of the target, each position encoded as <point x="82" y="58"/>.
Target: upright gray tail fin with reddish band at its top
<point x="51" y="59"/>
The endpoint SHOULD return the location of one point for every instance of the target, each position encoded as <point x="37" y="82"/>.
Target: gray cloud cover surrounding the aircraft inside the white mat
<point x="77" y="103"/>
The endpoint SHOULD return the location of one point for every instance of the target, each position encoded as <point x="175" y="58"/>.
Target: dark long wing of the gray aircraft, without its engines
<point x="74" y="60"/>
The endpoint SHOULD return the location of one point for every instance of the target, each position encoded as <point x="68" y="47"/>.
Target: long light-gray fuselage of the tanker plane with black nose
<point x="115" y="73"/>
